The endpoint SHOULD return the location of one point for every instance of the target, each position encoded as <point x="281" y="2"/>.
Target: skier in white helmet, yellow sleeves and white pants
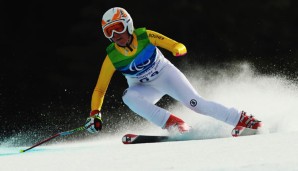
<point x="135" y="53"/>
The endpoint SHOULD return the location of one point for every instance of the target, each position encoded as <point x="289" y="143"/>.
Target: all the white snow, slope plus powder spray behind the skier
<point x="272" y="99"/>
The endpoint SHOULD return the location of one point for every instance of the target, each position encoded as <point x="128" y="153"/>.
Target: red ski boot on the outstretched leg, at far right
<point x="247" y="125"/>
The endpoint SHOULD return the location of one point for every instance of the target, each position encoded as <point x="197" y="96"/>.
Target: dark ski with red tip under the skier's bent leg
<point x="138" y="139"/>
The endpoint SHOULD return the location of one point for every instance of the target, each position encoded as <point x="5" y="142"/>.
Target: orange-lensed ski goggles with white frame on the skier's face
<point x="116" y="27"/>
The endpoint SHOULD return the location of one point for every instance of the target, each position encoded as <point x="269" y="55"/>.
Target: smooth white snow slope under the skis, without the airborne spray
<point x="277" y="151"/>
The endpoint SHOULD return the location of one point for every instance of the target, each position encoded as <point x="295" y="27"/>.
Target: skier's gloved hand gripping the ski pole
<point x="94" y="123"/>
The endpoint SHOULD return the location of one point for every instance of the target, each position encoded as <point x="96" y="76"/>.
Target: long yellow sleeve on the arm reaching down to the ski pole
<point x="106" y="73"/>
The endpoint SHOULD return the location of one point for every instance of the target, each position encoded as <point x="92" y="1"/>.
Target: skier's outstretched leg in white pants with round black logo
<point x="181" y="89"/>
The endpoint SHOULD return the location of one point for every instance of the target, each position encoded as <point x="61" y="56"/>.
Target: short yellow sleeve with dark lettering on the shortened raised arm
<point x="157" y="39"/>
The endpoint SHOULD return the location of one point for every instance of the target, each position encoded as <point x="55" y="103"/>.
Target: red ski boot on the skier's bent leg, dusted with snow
<point x="175" y="124"/>
